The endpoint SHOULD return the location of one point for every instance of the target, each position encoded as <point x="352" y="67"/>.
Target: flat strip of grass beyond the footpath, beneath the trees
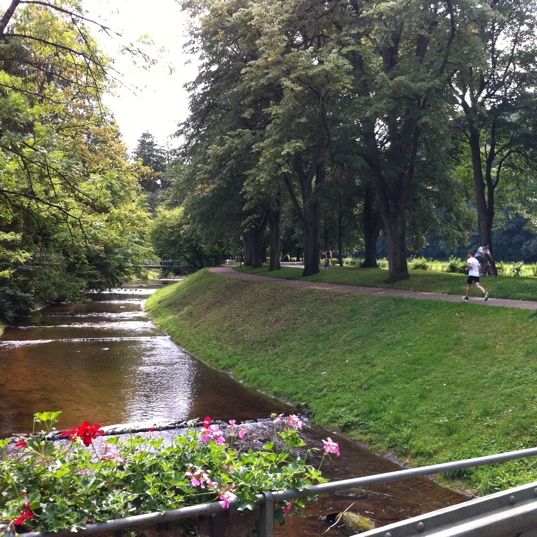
<point x="420" y="280"/>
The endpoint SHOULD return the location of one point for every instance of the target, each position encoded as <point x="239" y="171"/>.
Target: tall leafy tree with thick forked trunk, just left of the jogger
<point x="401" y="64"/>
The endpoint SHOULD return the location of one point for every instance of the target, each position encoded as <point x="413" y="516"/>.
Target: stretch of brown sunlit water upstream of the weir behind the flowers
<point x="105" y="361"/>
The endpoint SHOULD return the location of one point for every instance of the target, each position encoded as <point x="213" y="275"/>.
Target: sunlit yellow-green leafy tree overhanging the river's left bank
<point x="70" y="212"/>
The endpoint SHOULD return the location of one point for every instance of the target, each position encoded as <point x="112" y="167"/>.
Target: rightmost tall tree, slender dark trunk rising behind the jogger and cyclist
<point x="496" y="95"/>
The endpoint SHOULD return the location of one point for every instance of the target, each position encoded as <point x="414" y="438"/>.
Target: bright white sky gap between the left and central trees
<point x="146" y="99"/>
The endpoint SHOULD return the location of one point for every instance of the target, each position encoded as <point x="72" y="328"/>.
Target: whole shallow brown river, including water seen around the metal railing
<point x="106" y="362"/>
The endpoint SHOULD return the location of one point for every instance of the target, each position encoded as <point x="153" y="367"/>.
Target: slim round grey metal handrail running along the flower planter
<point x="268" y="499"/>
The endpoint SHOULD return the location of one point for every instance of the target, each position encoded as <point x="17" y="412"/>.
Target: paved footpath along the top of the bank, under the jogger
<point x="229" y="272"/>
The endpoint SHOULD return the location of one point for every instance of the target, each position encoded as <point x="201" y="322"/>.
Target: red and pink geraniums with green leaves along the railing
<point x="86" y="478"/>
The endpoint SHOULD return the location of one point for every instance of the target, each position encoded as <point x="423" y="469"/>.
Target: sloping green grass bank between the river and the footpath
<point x="429" y="381"/>
